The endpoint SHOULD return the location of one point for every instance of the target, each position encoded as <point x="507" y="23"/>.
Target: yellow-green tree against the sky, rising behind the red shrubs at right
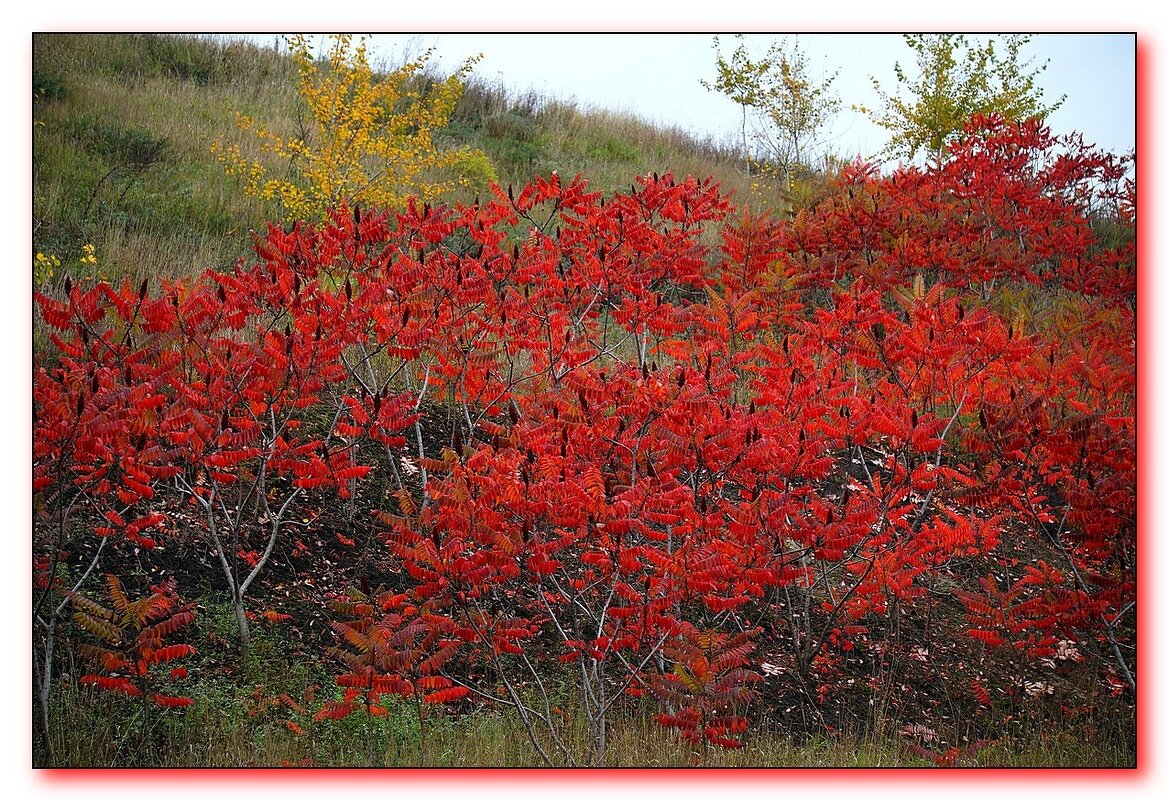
<point x="954" y="80"/>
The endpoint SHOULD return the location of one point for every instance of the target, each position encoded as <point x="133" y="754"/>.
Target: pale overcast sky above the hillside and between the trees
<point x="658" y="77"/>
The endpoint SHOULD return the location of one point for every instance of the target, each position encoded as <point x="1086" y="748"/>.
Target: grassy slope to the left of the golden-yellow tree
<point x="122" y="149"/>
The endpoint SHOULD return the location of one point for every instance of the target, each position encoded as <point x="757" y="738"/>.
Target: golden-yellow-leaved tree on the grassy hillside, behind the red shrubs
<point x="366" y="137"/>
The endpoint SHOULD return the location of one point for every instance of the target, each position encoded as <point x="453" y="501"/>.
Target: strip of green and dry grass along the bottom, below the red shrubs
<point x="227" y="728"/>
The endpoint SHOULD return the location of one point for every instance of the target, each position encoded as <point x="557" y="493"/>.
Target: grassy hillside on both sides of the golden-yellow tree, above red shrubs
<point x="123" y="127"/>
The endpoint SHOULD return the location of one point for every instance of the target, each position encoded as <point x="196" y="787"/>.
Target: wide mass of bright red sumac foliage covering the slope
<point x="659" y="443"/>
